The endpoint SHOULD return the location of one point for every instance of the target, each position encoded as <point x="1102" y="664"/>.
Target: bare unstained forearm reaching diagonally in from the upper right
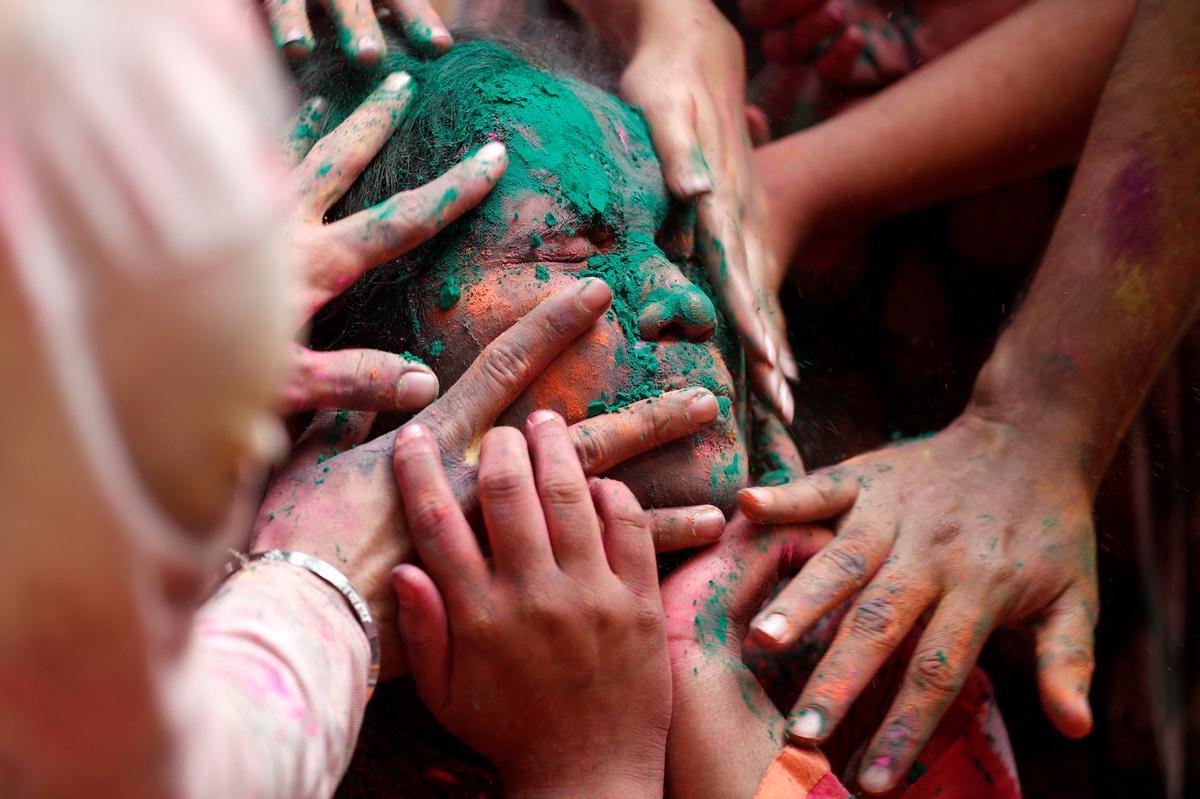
<point x="1011" y="103"/>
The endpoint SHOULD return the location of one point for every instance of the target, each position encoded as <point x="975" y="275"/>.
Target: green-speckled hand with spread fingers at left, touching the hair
<point x="334" y="256"/>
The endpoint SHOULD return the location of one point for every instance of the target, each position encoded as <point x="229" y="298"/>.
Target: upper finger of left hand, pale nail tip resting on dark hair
<point x="338" y="160"/>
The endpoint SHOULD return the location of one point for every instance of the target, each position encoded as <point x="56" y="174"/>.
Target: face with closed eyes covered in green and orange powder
<point x="584" y="196"/>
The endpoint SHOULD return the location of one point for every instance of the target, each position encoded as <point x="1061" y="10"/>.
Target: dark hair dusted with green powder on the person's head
<point x="452" y="115"/>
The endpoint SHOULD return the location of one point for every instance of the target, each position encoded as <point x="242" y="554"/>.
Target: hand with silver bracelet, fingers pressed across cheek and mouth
<point x="338" y="501"/>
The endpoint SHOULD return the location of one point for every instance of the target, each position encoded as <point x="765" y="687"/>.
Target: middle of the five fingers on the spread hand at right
<point x="871" y="633"/>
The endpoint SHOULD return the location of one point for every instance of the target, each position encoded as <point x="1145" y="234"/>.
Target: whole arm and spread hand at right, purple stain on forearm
<point x="989" y="522"/>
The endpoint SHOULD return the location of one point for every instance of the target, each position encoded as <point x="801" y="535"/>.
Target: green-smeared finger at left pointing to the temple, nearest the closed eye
<point x="380" y="235"/>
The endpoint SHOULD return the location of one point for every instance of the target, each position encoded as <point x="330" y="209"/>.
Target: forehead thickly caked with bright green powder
<point x="580" y="145"/>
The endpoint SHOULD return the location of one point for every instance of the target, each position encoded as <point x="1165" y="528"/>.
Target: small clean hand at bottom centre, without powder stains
<point x="551" y="663"/>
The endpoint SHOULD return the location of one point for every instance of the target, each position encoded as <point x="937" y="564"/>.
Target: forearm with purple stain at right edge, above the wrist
<point x="1121" y="280"/>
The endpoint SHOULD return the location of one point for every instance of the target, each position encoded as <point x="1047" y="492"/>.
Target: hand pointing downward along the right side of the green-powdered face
<point x="688" y="75"/>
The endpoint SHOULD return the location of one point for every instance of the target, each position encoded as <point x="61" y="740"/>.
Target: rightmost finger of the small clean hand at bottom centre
<point x="627" y="536"/>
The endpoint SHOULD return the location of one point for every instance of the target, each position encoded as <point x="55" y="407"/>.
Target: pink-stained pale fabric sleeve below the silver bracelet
<point x="273" y="690"/>
